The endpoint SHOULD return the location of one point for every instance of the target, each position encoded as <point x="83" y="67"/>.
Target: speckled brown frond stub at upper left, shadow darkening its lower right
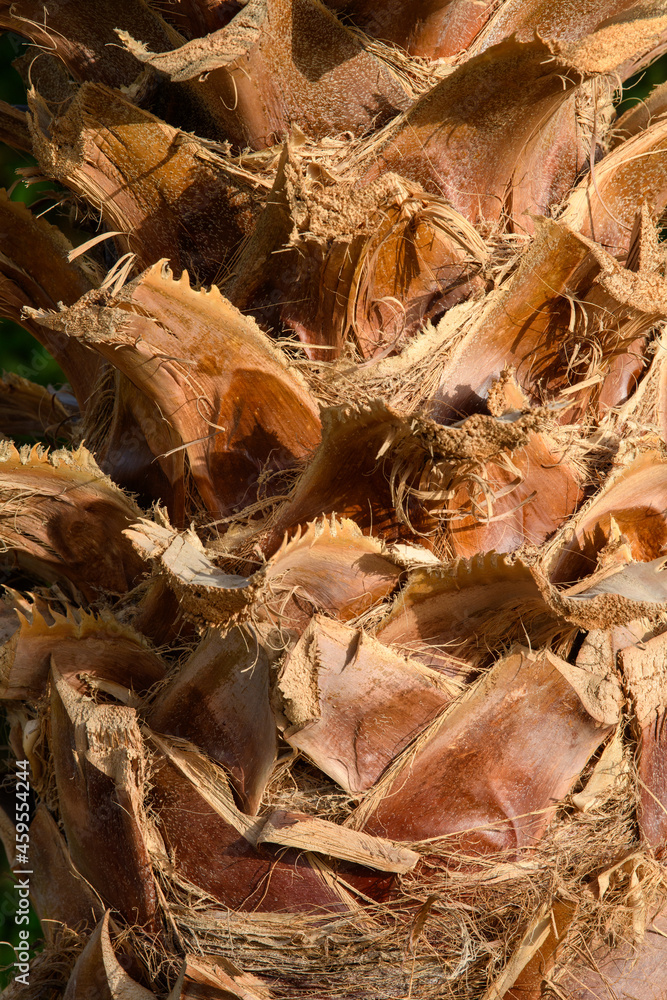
<point x="164" y="192"/>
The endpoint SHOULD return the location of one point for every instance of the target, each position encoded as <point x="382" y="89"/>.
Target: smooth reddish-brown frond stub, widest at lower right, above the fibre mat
<point x="486" y="773"/>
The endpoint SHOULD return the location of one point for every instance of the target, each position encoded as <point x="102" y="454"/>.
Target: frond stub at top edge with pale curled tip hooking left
<point x="281" y="63"/>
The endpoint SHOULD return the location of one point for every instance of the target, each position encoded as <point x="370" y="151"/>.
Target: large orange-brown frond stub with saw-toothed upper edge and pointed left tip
<point x="209" y="405"/>
